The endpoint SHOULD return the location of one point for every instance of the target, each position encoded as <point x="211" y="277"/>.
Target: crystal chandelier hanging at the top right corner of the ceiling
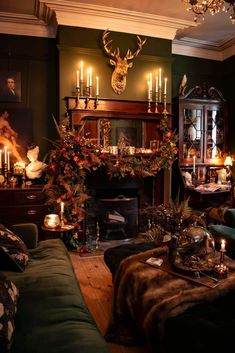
<point x="214" y="6"/>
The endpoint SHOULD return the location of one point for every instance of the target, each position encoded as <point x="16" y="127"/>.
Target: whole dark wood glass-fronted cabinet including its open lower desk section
<point x="200" y="118"/>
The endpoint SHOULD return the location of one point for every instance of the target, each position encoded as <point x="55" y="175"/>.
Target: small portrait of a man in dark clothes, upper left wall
<point x="10" y="86"/>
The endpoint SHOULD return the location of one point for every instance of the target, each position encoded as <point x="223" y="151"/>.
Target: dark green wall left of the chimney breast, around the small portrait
<point x="37" y="61"/>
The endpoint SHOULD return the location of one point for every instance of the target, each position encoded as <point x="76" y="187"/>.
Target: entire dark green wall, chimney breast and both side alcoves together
<point x="48" y="71"/>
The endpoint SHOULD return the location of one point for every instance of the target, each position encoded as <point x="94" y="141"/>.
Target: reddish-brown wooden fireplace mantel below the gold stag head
<point x="92" y="110"/>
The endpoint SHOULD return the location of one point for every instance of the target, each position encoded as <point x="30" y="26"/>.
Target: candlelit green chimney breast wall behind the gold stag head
<point x="79" y="44"/>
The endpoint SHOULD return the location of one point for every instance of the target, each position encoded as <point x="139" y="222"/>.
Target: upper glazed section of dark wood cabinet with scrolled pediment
<point x="202" y="126"/>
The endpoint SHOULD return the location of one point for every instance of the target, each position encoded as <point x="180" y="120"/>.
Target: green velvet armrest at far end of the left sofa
<point x="28" y="232"/>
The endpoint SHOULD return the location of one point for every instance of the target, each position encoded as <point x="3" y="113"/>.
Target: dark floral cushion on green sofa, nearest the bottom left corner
<point x="8" y="307"/>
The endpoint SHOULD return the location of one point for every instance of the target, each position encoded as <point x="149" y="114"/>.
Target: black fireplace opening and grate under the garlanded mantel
<point x="123" y="196"/>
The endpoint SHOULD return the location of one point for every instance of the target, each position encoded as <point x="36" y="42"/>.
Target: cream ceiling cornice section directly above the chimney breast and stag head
<point x="72" y="13"/>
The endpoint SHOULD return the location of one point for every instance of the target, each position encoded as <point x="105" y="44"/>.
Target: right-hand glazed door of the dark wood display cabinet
<point x="214" y="135"/>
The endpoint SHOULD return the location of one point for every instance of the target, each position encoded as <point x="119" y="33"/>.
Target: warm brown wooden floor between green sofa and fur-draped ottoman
<point x="96" y="284"/>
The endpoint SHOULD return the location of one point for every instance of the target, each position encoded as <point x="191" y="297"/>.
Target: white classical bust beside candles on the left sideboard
<point x="35" y="168"/>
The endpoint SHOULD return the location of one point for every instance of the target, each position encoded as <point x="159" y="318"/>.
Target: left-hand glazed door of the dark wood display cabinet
<point x="192" y="134"/>
